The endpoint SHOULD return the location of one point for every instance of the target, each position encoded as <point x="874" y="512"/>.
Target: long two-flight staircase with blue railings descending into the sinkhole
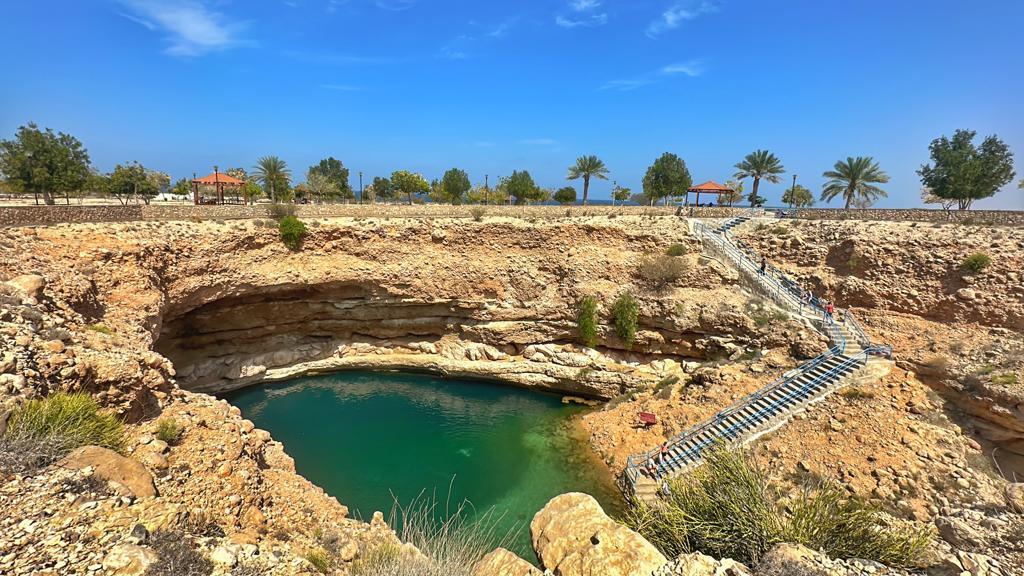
<point x="774" y="404"/>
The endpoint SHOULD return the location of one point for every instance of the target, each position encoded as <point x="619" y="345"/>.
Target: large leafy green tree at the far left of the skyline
<point x="45" y="163"/>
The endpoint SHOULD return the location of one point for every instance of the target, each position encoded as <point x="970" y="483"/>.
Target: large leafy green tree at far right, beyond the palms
<point x="964" y="173"/>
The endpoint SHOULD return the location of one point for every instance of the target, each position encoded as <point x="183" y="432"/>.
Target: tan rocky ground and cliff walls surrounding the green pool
<point x="131" y="314"/>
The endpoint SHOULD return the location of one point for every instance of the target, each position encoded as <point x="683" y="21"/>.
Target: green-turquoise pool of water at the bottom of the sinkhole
<point x="371" y="438"/>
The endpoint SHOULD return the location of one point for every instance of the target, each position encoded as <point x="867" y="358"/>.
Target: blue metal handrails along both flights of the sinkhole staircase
<point x="785" y="292"/>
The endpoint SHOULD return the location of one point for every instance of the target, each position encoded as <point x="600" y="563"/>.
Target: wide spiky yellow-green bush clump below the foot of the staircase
<point x="727" y="509"/>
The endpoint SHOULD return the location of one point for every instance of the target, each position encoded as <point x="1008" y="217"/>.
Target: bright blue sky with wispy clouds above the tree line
<point x="492" y="87"/>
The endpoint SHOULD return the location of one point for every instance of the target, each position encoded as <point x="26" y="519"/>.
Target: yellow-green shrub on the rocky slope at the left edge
<point x="40" y="432"/>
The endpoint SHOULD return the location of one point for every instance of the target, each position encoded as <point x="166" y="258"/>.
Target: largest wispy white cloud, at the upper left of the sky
<point x="192" y="28"/>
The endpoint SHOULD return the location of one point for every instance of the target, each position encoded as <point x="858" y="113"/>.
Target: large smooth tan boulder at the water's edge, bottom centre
<point x="573" y="537"/>
